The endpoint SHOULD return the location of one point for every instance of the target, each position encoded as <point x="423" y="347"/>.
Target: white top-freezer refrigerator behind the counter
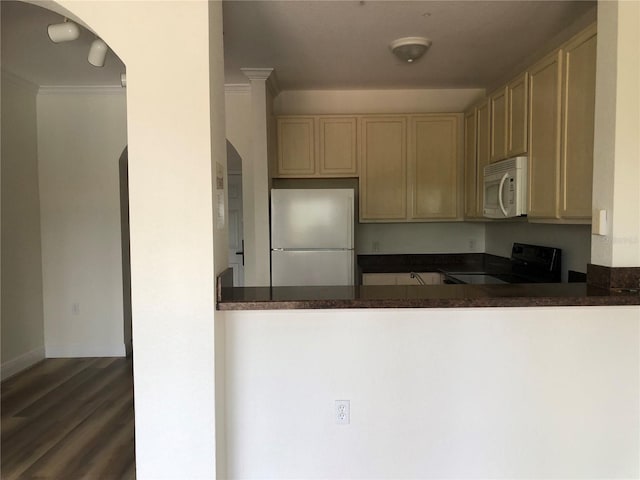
<point x="312" y="237"/>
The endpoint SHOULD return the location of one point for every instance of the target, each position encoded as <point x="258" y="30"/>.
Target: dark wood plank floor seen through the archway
<point x="69" y="419"/>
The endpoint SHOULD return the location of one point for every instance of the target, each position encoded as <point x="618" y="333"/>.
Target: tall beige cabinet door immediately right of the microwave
<point x="545" y="102"/>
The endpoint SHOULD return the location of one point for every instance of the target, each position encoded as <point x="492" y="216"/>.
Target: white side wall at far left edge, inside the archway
<point x="22" y="317"/>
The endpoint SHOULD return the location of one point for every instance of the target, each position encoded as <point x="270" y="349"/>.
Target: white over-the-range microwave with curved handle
<point x="505" y="188"/>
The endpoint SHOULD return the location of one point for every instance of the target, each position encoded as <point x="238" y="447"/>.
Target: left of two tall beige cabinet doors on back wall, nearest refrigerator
<point x="383" y="168"/>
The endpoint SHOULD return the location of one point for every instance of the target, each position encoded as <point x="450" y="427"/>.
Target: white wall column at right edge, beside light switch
<point x="616" y="169"/>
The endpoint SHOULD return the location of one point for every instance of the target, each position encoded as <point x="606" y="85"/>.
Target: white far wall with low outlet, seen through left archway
<point x="80" y="139"/>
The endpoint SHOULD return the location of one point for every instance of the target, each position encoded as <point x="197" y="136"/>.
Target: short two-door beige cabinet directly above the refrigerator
<point x="317" y="146"/>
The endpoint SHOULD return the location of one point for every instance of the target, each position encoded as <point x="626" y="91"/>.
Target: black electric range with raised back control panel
<point x="527" y="264"/>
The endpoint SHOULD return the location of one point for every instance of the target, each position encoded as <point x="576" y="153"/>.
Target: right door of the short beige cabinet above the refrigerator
<point x="337" y="149"/>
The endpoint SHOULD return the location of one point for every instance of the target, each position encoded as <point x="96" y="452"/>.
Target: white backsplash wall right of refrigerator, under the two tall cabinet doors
<point x="388" y="238"/>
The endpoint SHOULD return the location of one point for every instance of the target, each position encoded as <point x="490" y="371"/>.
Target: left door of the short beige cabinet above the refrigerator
<point x="296" y="147"/>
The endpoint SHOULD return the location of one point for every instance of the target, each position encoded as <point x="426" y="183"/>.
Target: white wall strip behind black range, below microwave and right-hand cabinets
<point x="574" y="240"/>
